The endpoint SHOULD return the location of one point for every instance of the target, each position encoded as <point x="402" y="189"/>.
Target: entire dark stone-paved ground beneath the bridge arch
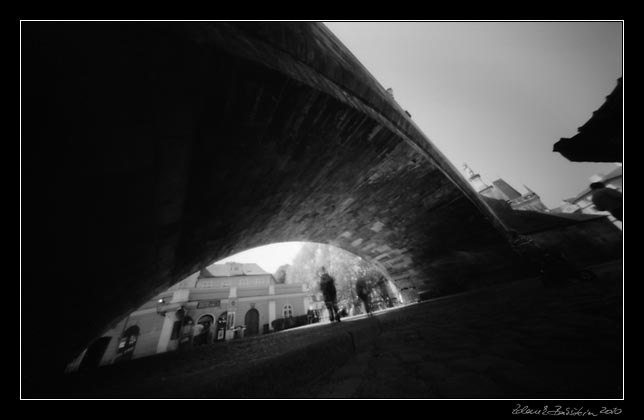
<point x="516" y="341"/>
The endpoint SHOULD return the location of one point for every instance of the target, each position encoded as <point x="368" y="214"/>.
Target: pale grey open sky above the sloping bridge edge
<point x="497" y="95"/>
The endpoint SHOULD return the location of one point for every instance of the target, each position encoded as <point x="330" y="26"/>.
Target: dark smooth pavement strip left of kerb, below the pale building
<point x="254" y="367"/>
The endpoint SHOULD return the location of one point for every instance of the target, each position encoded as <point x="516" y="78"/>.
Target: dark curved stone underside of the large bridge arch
<point x="151" y="149"/>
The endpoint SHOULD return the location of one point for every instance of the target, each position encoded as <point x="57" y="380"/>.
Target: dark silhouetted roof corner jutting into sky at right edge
<point x="600" y="139"/>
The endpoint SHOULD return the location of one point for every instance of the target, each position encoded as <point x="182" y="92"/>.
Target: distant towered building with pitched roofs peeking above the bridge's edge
<point x="501" y="190"/>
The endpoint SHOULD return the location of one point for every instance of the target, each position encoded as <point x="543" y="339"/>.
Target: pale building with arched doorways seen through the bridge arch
<point x="221" y="302"/>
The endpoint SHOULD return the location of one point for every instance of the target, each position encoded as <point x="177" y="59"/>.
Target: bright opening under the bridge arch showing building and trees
<point x="247" y="294"/>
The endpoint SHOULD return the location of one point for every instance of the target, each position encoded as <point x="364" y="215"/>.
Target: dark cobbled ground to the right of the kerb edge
<point x="514" y="342"/>
